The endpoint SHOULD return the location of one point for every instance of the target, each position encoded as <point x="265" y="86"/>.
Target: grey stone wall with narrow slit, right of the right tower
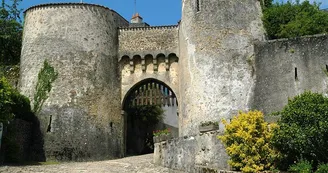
<point x="278" y="61"/>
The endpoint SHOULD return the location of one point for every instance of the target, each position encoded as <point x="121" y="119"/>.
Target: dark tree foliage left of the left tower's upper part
<point x="10" y="32"/>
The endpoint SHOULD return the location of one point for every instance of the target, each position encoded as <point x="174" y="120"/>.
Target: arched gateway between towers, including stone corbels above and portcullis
<point x="149" y="85"/>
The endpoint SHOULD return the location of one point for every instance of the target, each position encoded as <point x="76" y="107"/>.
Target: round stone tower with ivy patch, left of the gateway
<point x="80" y="117"/>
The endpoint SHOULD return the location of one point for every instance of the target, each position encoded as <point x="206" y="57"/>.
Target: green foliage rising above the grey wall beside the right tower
<point x="286" y="20"/>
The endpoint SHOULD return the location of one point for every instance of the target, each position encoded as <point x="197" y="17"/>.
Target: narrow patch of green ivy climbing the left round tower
<point x="46" y="77"/>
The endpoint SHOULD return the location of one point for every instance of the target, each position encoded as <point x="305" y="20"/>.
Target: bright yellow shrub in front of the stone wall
<point x="247" y="141"/>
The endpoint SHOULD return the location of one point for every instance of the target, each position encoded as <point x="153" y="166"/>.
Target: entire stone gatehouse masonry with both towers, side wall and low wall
<point x="215" y="62"/>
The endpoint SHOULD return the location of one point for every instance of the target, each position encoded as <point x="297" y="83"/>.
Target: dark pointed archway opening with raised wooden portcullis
<point x="148" y="107"/>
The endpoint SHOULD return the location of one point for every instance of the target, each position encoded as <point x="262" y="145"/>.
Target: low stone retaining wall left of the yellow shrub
<point x="190" y="153"/>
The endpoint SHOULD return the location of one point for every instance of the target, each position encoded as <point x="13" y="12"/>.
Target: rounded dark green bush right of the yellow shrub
<point x="303" y="130"/>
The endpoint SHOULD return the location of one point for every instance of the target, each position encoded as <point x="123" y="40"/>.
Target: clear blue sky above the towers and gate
<point x="154" y="12"/>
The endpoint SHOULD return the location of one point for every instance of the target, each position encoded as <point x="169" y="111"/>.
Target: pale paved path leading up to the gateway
<point x="139" y="164"/>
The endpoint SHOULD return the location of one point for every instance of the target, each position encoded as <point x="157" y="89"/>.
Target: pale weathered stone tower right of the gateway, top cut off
<point x="216" y="59"/>
